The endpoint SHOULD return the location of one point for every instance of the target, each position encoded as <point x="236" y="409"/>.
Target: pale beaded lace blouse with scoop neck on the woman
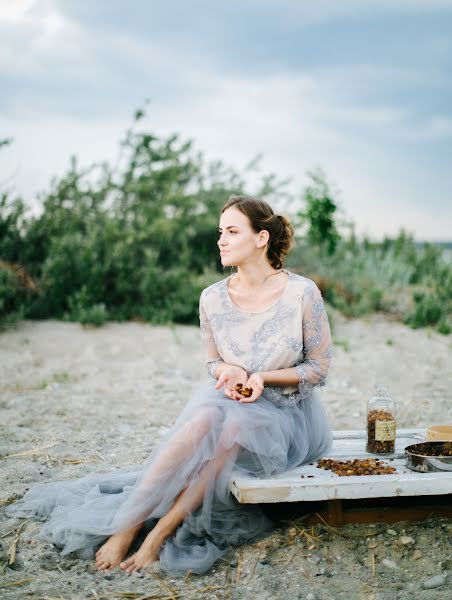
<point x="293" y="332"/>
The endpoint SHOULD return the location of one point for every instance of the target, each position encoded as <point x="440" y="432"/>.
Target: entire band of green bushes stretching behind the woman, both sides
<point x="138" y="241"/>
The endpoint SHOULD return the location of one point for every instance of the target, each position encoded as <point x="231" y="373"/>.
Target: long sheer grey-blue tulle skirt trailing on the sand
<point x="212" y="437"/>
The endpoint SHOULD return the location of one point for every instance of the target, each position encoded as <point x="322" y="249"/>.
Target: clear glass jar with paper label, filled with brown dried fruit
<point x="381" y="422"/>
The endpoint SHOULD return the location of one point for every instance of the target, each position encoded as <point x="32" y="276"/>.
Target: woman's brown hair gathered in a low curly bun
<point x="261" y="216"/>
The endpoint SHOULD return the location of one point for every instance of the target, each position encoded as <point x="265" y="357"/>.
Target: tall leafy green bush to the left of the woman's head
<point x="137" y="241"/>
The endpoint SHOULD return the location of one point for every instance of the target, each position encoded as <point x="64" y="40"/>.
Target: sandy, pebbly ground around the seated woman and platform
<point x="94" y="399"/>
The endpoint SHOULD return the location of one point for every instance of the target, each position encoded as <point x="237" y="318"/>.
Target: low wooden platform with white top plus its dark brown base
<point x="331" y="493"/>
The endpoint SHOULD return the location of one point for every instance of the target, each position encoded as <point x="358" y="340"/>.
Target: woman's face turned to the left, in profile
<point x="238" y="243"/>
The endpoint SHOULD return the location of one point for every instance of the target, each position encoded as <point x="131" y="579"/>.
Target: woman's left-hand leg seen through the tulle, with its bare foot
<point x="172" y="455"/>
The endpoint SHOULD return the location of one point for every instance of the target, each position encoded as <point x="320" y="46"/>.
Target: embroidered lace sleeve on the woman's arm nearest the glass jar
<point x="317" y="347"/>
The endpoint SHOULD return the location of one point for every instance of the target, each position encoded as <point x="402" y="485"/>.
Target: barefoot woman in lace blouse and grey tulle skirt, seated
<point x="263" y="327"/>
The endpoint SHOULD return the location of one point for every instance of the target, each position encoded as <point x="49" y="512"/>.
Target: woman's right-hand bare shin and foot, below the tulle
<point x="188" y="501"/>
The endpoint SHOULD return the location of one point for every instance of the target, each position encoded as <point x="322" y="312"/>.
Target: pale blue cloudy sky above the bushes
<point x="360" y="88"/>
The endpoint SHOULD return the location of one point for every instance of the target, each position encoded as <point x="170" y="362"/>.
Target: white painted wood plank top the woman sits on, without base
<point x="320" y="484"/>
